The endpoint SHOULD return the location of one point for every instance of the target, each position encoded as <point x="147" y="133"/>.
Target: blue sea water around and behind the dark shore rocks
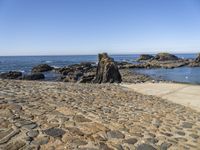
<point x="26" y="63"/>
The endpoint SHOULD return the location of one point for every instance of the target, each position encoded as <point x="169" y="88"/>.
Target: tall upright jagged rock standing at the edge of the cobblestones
<point x="107" y="70"/>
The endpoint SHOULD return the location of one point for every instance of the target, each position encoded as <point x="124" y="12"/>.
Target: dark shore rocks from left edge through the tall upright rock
<point x="106" y="72"/>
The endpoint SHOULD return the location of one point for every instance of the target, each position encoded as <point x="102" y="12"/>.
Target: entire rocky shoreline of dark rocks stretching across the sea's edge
<point x="87" y="72"/>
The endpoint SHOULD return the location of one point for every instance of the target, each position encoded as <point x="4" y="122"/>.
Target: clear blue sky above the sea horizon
<point x="41" y="27"/>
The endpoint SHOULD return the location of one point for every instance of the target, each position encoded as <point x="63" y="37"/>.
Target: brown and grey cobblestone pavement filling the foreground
<point x="54" y="115"/>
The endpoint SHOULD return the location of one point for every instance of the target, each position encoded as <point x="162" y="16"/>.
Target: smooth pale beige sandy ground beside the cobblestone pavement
<point x="184" y="94"/>
